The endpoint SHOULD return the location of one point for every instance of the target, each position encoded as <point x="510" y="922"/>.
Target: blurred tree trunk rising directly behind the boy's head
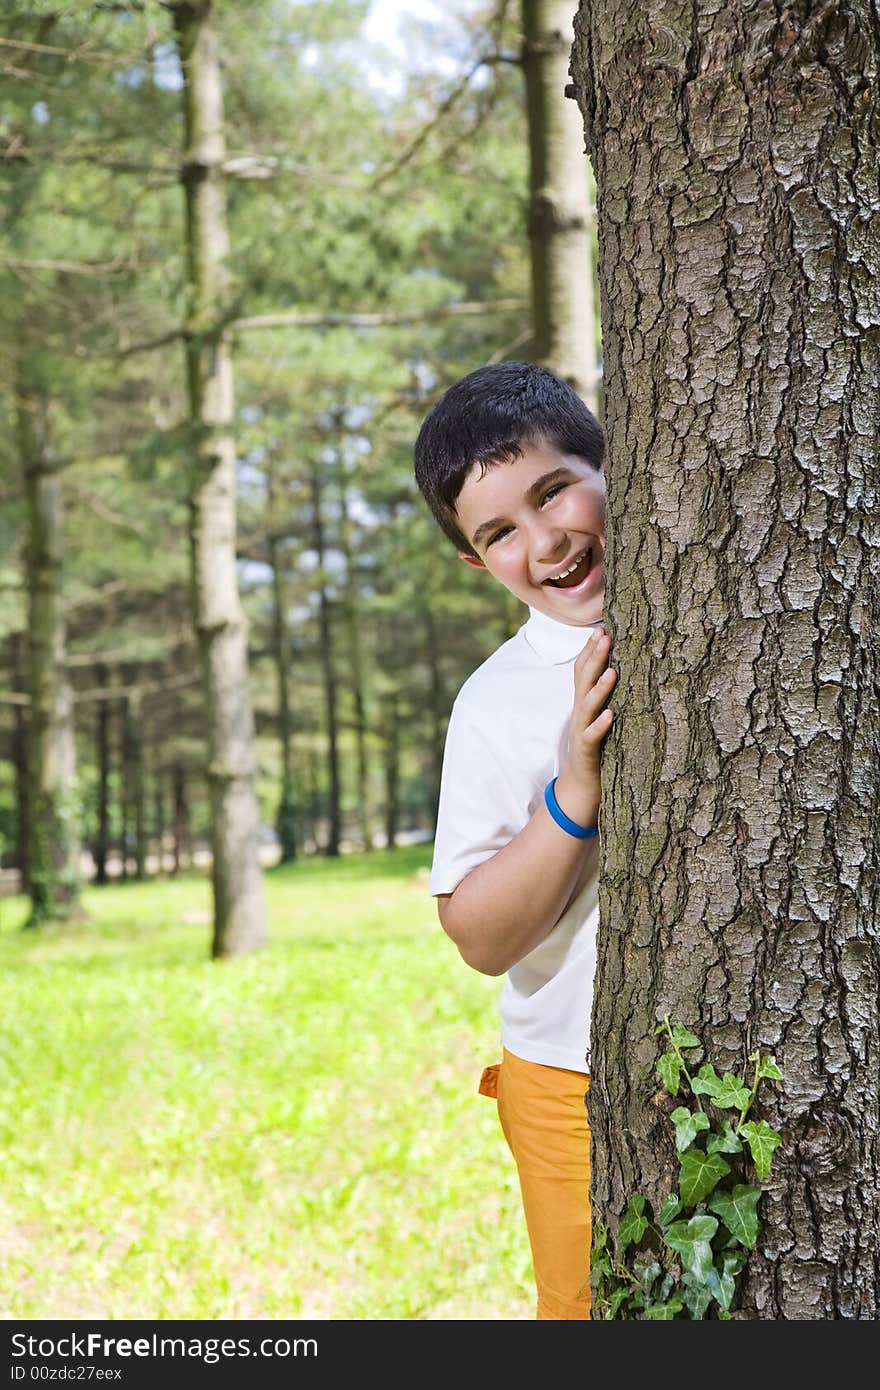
<point x="561" y="215"/>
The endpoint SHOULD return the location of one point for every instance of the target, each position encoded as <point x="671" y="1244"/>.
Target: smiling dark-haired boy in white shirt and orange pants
<point x="511" y="464"/>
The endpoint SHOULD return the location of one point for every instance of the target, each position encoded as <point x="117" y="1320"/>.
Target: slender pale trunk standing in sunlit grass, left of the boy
<point x="240" y="919"/>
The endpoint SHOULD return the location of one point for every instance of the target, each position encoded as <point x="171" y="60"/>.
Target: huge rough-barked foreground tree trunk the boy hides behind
<point x="736" y="156"/>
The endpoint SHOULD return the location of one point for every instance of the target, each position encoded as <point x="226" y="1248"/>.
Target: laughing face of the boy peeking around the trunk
<point x="535" y="521"/>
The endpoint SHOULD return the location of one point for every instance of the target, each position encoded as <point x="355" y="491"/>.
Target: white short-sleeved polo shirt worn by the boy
<point x="508" y="737"/>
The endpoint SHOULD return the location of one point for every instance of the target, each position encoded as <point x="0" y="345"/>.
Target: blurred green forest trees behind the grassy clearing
<point x="361" y="179"/>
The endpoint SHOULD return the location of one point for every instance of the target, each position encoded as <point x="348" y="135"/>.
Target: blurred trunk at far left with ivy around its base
<point x="55" y="815"/>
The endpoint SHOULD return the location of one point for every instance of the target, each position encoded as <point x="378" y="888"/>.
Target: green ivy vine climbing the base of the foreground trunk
<point x="685" y="1261"/>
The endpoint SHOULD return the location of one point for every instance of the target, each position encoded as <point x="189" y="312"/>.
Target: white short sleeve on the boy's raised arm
<point x="482" y="808"/>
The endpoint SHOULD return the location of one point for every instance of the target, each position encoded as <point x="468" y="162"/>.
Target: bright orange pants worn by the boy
<point x="544" y="1117"/>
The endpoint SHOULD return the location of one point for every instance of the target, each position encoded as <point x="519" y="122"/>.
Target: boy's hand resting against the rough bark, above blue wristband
<point x="579" y="787"/>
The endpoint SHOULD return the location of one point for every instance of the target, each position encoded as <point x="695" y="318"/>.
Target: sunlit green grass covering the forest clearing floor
<point x="295" y="1134"/>
